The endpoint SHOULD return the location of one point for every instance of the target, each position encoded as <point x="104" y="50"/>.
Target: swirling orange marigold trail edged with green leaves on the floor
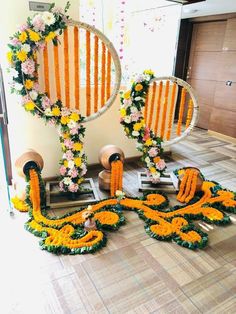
<point x="65" y="234"/>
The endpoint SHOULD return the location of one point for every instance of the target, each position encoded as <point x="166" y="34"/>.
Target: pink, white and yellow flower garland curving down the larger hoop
<point x="30" y="38"/>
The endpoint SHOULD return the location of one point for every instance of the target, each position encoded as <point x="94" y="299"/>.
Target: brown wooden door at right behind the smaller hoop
<point x="212" y="63"/>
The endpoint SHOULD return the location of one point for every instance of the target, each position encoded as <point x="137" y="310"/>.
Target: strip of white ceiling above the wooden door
<point x="209" y="7"/>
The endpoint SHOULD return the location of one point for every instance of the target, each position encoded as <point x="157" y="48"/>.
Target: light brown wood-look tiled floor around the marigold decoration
<point x="134" y="273"/>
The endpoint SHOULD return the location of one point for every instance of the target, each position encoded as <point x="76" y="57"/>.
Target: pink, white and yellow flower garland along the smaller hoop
<point x="131" y="112"/>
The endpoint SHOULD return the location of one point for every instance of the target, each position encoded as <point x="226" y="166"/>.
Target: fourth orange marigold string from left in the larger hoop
<point x="76" y="65"/>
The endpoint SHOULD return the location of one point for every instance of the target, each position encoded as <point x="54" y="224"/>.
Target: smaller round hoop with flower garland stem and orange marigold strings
<point x="134" y="119"/>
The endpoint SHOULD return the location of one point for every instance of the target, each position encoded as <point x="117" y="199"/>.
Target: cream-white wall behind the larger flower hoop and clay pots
<point x="26" y="131"/>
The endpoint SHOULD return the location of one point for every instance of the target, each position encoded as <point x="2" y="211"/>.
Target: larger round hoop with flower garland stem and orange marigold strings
<point x="34" y="36"/>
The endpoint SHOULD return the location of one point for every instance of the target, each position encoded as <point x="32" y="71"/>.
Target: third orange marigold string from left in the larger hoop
<point x="66" y="69"/>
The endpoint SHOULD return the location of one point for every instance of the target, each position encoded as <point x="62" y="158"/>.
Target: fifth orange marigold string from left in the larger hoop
<point x="88" y="87"/>
